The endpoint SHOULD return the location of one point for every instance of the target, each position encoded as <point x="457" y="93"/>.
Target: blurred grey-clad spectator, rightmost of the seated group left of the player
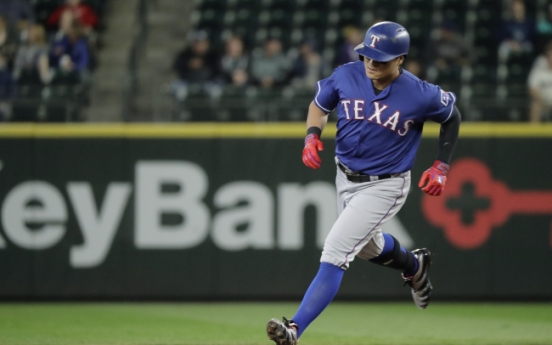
<point x="307" y="68"/>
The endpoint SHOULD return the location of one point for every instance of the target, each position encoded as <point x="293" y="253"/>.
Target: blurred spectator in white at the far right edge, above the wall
<point x="540" y="88"/>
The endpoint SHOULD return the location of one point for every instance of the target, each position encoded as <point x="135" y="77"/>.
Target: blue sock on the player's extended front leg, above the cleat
<point x="319" y="295"/>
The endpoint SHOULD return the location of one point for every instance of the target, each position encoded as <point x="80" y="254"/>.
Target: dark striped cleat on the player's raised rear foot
<point x="419" y="282"/>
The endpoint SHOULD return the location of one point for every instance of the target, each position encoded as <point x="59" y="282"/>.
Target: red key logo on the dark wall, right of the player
<point x="490" y="204"/>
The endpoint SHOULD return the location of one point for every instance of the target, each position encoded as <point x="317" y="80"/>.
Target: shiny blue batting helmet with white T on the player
<point x="384" y="42"/>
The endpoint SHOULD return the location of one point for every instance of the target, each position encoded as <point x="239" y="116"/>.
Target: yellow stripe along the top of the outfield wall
<point x="241" y="130"/>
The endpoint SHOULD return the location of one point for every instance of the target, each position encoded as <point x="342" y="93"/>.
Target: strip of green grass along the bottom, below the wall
<point x="244" y="323"/>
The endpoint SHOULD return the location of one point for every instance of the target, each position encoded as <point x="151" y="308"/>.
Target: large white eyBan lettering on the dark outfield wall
<point x="35" y="213"/>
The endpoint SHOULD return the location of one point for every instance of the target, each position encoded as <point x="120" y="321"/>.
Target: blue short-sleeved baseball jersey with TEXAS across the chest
<point x="380" y="134"/>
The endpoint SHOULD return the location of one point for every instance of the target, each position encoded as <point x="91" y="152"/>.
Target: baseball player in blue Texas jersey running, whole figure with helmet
<point x="381" y="110"/>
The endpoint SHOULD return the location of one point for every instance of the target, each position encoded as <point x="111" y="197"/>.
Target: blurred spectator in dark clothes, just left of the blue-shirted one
<point x="31" y="61"/>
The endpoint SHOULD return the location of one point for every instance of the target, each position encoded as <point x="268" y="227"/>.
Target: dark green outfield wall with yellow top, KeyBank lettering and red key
<point x="206" y="211"/>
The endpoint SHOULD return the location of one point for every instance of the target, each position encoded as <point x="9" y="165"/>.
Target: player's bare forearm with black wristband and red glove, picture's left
<point x="316" y="121"/>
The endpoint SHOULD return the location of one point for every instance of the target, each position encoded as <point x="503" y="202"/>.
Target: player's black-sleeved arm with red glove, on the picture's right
<point x="433" y="179"/>
